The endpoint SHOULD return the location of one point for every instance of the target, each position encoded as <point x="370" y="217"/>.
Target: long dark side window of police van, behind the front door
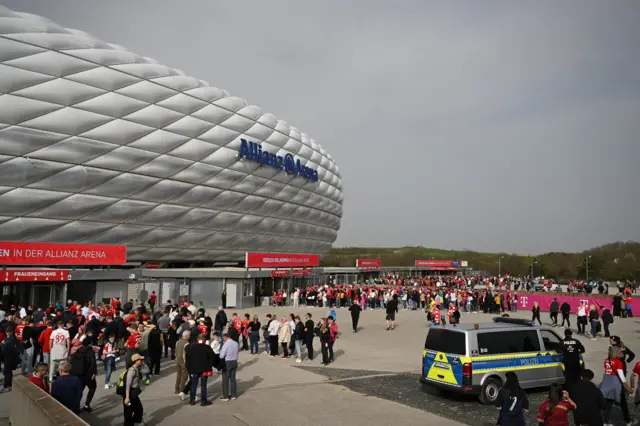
<point x="505" y="342"/>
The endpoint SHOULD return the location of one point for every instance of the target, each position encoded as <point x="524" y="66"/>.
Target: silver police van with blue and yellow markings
<point x="473" y="358"/>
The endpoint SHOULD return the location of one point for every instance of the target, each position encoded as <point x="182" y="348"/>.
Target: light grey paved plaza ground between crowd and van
<point x="374" y="380"/>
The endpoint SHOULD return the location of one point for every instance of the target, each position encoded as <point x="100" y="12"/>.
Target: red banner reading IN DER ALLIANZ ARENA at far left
<point x="17" y="253"/>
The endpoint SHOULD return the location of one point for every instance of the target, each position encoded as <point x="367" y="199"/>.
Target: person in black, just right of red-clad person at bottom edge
<point x="589" y="400"/>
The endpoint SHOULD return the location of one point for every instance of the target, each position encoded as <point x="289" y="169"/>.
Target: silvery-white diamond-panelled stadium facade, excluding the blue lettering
<point x="101" y="145"/>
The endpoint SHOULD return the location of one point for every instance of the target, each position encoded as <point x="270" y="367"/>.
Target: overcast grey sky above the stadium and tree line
<point x="493" y="125"/>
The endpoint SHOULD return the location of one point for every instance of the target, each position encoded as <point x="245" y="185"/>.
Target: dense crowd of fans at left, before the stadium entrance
<point x="59" y="348"/>
